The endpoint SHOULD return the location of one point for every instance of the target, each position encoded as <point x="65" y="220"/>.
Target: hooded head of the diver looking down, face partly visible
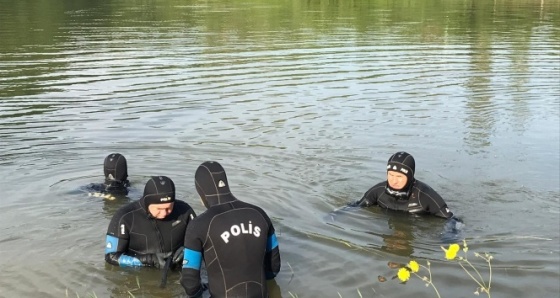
<point x="159" y="197"/>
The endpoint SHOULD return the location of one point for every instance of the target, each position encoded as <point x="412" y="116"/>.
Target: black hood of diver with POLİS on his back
<point x="211" y="184"/>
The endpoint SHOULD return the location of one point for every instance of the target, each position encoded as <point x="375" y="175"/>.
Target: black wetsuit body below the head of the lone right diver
<point x="421" y="199"/>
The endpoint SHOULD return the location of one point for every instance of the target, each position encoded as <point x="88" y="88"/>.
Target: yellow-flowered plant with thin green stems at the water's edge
<point x="413" y="268"/>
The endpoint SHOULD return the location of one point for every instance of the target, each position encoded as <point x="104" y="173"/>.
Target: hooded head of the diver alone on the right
<point x="400" y="174"/>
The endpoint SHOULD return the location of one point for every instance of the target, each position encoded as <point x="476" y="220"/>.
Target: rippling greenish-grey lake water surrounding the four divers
<point x="302" y="102"/>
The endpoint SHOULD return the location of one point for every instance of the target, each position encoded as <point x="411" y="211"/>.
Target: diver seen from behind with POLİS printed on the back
<point x="235" y="239"/>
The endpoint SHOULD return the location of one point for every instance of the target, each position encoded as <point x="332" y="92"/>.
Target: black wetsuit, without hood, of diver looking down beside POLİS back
<point x="134" y="236"/>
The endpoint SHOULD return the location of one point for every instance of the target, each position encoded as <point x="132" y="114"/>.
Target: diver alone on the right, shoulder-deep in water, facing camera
<point x="404" y="193"/>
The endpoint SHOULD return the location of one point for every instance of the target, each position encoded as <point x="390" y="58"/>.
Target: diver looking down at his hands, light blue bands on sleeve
<point x="150" y="230"/>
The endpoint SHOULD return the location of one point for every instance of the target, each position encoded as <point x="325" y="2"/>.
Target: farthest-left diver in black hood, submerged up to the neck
<point x="116" y="174"/>
